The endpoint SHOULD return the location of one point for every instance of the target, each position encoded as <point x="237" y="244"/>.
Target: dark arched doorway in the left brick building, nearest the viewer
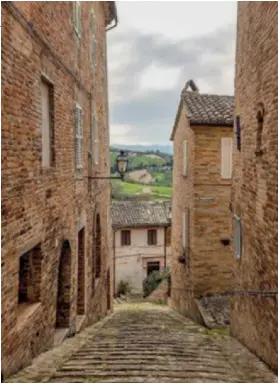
<point x="63" y="293"/>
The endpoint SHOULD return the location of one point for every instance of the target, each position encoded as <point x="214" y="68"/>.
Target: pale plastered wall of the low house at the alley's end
<point x="131" y="261"/>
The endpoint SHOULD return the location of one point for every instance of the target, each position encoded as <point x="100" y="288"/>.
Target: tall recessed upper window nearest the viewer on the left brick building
<point x="47" y="105"/>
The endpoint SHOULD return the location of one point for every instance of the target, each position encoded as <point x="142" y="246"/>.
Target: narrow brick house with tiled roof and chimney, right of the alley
<point x="202" y="136"/>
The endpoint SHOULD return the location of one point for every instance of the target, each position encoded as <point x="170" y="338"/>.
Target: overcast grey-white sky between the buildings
<point x="155" y="49"/>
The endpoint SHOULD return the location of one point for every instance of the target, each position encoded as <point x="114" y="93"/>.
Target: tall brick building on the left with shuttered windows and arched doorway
<point x="56" y="239"/>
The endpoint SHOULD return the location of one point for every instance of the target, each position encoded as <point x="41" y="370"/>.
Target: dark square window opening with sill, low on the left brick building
<point x="30" y="276"/>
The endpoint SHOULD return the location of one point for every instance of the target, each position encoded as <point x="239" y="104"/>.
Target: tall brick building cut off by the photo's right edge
<point x="254" y="318"/>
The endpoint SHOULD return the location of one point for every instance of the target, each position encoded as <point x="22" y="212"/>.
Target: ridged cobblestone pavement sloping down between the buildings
<point x="145" y="343"/>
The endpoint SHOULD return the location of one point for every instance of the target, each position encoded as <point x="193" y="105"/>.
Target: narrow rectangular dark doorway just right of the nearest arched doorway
<point x="81" y="273"/>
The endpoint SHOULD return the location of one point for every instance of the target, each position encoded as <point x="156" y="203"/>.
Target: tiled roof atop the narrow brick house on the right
<point x="208" y="109"/>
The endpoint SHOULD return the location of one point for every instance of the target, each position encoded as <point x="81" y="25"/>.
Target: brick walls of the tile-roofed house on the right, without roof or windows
<point x="209" y="264"/>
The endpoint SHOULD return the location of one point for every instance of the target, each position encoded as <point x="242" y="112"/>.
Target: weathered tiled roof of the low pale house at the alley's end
<point x="132" y="214"/>
